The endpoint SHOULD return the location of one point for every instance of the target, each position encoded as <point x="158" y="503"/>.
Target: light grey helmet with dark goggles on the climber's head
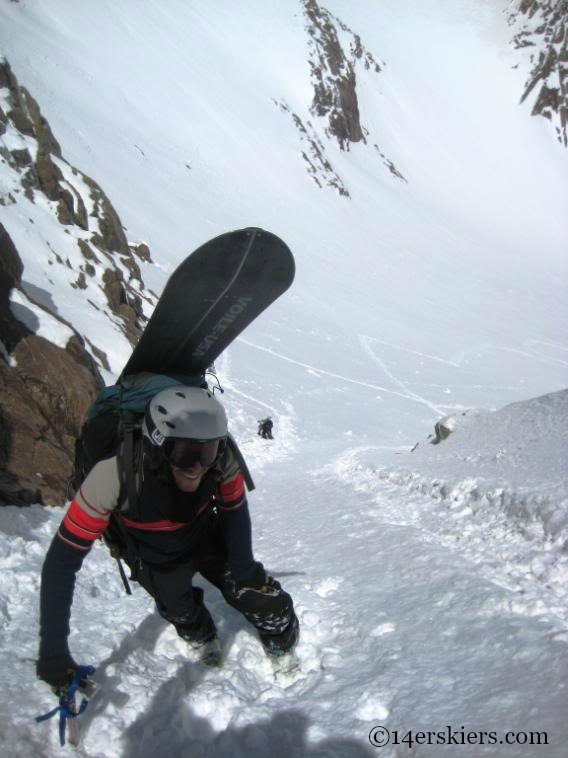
<point x="187" y="424"/>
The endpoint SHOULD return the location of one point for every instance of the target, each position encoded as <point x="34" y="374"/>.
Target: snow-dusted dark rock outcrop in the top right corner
<point x="542" y="28"/>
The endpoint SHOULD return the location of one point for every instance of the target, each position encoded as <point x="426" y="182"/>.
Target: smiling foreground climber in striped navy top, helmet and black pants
<point x="192" y="517"/>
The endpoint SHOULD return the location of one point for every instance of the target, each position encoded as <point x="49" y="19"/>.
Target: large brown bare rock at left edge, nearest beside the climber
<point x="45" y="391"/>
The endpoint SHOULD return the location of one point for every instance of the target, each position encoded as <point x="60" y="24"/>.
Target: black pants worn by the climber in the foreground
<point x="271" y="611"/>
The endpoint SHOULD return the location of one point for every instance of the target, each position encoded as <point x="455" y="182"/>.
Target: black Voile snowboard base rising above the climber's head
<point x="210" y="299"/>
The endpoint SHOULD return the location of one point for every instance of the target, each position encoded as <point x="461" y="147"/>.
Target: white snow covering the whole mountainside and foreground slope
<point x="430" y="585"/>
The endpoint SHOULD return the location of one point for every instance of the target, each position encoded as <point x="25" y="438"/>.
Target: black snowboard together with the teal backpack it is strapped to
<point x="210" y="298"/>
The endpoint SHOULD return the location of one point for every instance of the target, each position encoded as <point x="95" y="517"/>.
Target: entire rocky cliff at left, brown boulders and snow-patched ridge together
<point x="63" y="252"/>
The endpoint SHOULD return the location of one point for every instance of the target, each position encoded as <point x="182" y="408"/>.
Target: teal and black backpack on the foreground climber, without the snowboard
<point x="113" y="427"/>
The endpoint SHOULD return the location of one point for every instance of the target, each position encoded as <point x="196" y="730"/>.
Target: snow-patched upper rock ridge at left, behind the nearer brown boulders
<point x="103" y="260"/>
